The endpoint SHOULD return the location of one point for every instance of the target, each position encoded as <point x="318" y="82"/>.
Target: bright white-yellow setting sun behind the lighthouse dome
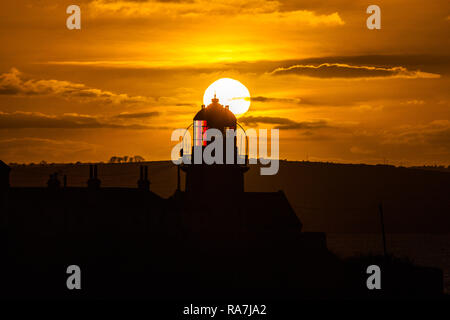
<point x="229" y="92"/>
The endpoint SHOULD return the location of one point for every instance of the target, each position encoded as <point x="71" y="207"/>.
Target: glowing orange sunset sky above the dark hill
<point x="138" y="69"/>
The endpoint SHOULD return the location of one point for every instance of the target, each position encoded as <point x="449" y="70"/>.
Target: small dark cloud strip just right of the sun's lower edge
<point x="284" y="123"/>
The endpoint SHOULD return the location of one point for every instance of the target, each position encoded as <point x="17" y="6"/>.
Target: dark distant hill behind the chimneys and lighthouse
<point x="327" y="197"/>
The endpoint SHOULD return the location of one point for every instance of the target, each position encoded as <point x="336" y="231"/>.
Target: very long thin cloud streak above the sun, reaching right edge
<point x="382" y="65"/>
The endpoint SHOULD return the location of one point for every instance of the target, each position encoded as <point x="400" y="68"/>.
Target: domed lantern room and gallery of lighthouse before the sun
<point x="219" y="178"/>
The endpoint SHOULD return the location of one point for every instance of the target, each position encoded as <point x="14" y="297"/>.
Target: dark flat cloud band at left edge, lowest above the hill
<point x="23" y="120"/>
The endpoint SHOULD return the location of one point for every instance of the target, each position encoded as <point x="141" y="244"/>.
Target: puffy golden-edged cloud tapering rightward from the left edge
<point x="13" y="83"/>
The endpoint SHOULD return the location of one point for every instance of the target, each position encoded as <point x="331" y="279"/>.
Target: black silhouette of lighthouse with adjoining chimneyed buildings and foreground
<point x="211" y="239"/>
